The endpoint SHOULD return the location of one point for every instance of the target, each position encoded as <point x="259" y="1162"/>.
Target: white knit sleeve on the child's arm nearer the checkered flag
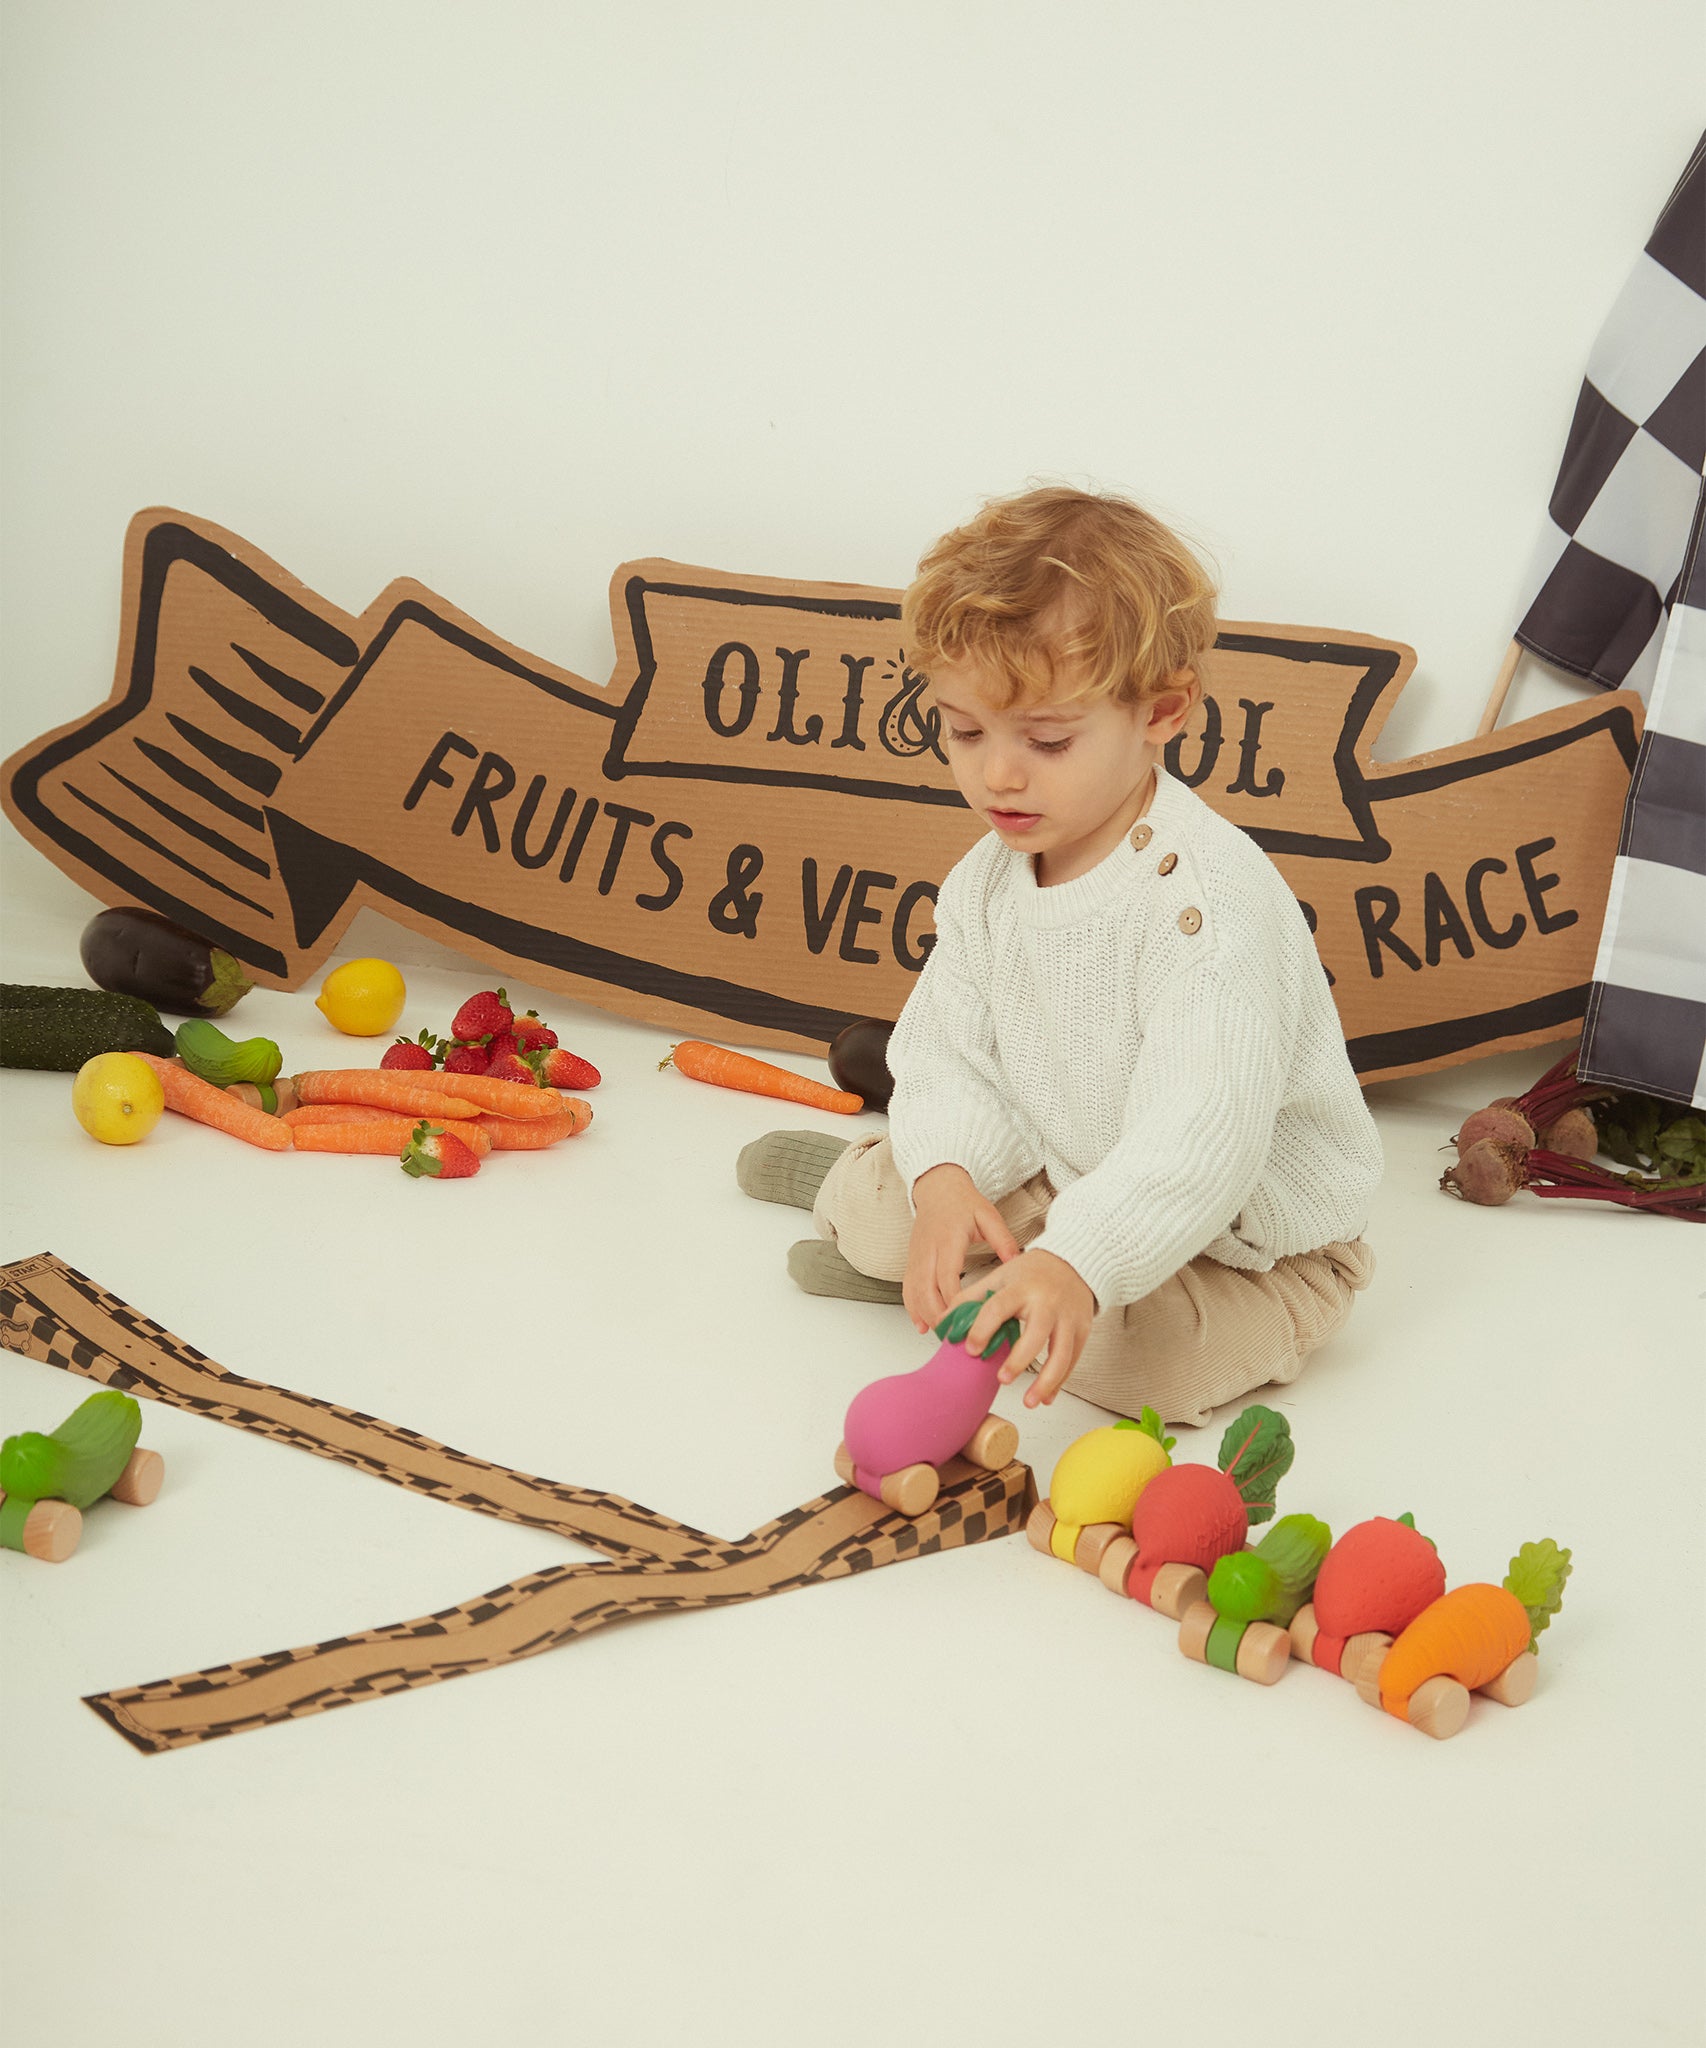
<point x="1197" y="1129"/>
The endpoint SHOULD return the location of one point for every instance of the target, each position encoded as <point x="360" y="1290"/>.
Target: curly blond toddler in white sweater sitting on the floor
<point x="1121" y="1089"/>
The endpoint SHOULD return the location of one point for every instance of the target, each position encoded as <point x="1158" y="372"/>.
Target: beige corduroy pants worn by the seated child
<point x="1203" y="1338"/>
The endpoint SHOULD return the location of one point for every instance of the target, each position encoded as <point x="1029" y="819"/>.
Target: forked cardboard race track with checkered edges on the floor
<point x="54" y="1314"/>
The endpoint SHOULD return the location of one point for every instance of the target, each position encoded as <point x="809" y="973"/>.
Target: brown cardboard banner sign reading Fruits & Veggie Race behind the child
<point x="742" y="835"/>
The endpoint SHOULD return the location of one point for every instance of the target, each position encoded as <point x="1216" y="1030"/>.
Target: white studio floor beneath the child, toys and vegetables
<point x="964" y="1799"/>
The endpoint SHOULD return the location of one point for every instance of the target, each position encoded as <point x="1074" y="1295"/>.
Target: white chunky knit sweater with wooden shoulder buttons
<point x="1164" y="1046"/>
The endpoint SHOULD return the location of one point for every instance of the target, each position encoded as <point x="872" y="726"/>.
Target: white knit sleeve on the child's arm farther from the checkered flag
<point x="951" y="1099"/>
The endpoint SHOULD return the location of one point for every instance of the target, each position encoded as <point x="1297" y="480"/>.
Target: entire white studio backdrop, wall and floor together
<point x="501" y="296"/>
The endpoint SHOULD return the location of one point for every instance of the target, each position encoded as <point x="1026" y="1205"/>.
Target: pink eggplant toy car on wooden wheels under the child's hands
<point x="902" y="1431"/>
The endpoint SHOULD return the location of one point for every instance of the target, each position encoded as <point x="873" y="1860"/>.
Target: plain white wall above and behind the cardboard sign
<point x="505" y="296"/>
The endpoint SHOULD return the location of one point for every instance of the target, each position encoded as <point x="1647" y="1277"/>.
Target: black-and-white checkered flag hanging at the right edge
<point x="1619" y="597"/>
